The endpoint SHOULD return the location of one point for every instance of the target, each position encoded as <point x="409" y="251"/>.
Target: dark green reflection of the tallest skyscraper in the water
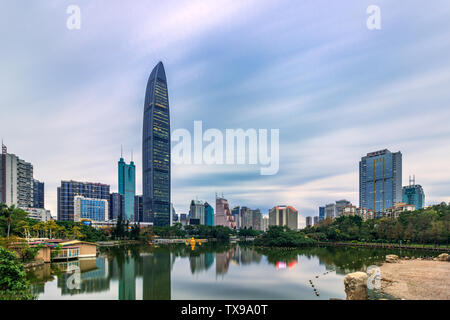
<point x="156" y="283"/>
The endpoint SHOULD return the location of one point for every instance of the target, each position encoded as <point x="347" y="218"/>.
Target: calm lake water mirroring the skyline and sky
<point x="207" y="272"/>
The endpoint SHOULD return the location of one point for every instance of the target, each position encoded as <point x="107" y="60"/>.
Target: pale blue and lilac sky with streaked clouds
<point x="312" y="69"/>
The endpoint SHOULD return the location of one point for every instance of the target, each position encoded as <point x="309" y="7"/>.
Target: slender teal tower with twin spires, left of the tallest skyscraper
<point x="127" y="187"/>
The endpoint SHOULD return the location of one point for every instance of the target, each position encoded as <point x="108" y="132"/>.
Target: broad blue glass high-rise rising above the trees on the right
<point x="380" y="180"/>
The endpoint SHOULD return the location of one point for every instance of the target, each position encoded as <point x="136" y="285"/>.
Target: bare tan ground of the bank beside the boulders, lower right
<point x="416" y="279"/>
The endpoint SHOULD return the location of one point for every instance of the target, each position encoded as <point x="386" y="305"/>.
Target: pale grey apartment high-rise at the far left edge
<point x="16" y="180"/>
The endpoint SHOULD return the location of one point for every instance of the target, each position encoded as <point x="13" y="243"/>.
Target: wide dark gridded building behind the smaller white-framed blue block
<point x="69" y="189"/>
